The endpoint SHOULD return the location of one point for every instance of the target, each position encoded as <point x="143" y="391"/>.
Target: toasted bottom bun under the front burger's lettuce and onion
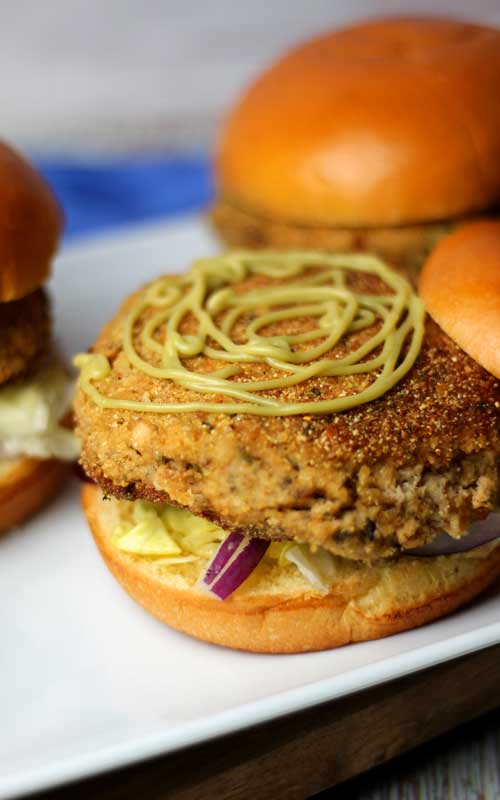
<point x="278" y="611"/>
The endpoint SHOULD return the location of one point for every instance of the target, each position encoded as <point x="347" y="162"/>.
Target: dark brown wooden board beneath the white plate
<point x="304" y="753"/>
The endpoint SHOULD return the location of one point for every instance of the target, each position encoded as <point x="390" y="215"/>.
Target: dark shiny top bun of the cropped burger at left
<point x="30" y="225"/>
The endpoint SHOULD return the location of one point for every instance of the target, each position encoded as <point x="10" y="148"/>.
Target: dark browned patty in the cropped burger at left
<point x="24" y="334"/>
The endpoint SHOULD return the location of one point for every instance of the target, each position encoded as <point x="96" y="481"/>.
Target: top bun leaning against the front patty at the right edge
<point x="460" y="286"/>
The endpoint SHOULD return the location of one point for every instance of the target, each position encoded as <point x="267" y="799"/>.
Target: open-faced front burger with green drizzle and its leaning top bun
<point x="299" y="531"/>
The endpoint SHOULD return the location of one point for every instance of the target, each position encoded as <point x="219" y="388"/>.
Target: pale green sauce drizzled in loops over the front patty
<point x="315" y="287"/>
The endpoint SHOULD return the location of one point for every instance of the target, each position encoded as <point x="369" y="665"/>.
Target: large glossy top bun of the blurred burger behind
<point x="387" y="122"/>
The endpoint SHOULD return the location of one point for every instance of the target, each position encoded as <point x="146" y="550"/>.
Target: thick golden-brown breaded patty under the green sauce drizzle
<point x="423" y="458"/>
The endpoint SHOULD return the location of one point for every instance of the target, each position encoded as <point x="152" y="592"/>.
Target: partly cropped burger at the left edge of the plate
<point x="35" y="390"/>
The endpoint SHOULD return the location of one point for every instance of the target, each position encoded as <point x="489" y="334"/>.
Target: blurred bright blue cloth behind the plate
<point x="101" y="195"/>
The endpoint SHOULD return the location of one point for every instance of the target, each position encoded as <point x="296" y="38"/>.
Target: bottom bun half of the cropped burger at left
<point x="25" y="486"/>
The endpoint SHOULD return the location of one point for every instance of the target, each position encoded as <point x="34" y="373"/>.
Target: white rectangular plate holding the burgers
<point x="89" y="681"/>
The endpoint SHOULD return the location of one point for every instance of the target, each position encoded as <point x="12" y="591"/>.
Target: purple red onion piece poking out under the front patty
<point x="240" y="563"/>
